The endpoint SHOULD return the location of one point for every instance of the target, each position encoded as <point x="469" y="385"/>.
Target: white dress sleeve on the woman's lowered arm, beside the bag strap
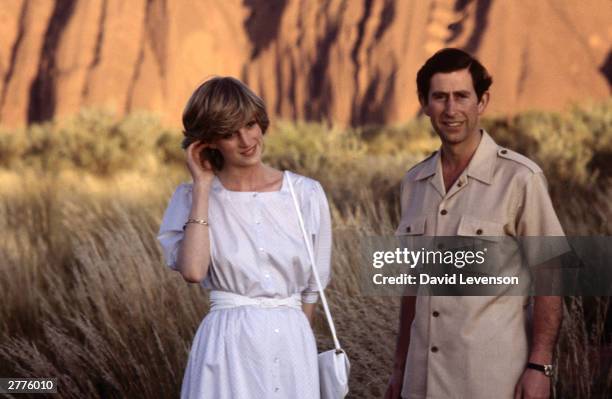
<point x="322" y="237"/>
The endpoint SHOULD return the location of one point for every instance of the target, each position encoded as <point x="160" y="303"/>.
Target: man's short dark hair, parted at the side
<point x="450" y="60"/>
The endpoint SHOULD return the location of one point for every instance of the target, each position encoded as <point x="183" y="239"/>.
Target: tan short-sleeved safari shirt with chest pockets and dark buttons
<point x="472" y="346"/>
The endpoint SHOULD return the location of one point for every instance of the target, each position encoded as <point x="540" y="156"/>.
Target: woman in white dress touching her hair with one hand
<point x="236" y="231"/>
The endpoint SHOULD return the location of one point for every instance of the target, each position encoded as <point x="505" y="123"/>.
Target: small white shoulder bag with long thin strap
<point x="334" y="365"/>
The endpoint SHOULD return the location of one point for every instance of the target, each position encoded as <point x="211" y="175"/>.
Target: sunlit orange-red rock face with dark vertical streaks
<point x="352" y="62"/>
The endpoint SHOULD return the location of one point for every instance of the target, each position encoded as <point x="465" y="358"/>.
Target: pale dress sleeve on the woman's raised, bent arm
<point x="171" y="229"/>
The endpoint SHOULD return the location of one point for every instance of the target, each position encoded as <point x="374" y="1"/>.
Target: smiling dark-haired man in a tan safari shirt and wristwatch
<point x="472" y="346"/>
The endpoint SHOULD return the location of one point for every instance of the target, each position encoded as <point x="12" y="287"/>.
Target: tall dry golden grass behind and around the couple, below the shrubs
<point x="86" y="298"/>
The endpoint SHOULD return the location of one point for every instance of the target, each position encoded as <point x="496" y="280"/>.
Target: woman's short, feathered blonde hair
<point x="220" y="106"/>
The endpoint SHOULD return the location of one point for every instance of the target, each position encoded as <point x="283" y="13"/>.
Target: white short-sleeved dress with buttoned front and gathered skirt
<point x="257" y="250"/>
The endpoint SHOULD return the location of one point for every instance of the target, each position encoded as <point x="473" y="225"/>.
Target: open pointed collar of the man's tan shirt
<point x="480" y="166"/>
